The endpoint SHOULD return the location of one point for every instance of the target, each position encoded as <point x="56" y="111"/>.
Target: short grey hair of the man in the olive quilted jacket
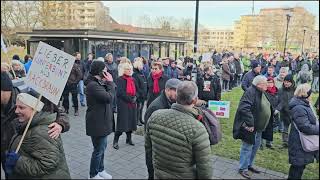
<point x="186" y="92"/>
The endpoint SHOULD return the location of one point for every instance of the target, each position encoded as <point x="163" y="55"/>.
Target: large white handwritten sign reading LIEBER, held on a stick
<point x="49" y="71"/>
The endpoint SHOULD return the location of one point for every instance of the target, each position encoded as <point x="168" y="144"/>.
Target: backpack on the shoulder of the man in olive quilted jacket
<point x="211" y="123"/>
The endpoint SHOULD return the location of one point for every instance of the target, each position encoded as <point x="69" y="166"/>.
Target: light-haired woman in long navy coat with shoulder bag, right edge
<point x="305" y="121"/>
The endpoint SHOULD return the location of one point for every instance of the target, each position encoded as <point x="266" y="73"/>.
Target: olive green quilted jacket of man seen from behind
<point x="178" y="145"/>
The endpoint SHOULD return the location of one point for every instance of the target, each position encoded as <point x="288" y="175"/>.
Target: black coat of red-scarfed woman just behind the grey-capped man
<point x="152" y="96"/>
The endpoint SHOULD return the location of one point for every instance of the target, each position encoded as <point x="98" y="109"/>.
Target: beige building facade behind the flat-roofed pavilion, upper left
<point x="75" y="15"/>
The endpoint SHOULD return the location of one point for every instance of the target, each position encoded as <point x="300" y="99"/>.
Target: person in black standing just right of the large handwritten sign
<point x="72" y="87"/>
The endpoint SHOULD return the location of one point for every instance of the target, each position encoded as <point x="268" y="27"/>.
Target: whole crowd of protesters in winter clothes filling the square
<point x="276" y="94"/>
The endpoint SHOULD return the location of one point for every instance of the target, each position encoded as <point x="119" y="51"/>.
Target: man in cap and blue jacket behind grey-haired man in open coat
<point x="249" y="76"/>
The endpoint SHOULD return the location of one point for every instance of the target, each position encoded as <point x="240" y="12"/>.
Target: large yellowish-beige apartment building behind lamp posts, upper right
<point x="268" y="28"/>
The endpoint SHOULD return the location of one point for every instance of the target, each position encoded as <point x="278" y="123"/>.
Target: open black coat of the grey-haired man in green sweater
<point x="248" y="114"/>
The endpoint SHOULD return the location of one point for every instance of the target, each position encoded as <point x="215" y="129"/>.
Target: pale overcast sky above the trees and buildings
<point x="211" y="13"/>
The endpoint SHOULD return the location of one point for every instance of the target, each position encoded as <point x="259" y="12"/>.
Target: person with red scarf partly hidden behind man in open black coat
<point x="272" y="94"/>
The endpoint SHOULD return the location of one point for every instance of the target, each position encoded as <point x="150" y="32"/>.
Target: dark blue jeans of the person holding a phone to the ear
<point x="99" y="146"/>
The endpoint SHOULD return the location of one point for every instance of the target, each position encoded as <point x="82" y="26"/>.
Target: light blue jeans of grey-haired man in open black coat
<point x="248" y="152"/>
